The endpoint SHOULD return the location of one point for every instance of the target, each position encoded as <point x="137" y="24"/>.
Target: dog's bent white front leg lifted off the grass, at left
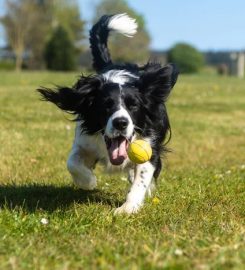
<point x="80" y="164"/>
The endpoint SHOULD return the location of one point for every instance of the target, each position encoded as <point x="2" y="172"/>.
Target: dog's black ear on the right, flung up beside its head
<point x="157" y="83"/>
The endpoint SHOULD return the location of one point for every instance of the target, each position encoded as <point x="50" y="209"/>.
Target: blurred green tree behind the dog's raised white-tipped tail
<point x="122" y="48"/>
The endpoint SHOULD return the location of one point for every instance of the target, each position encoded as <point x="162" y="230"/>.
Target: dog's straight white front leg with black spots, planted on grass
<point x="142" y="181"/>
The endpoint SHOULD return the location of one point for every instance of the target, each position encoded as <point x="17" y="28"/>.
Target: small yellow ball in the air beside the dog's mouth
<point x="139" y="151"/>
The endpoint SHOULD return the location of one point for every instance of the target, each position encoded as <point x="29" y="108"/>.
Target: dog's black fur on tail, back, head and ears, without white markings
<point x="94" y="99"/>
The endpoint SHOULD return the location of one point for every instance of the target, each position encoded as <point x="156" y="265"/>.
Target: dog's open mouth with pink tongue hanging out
<point x="117" y="149"/>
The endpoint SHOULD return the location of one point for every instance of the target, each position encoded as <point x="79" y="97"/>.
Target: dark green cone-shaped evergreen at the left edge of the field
<point x="60" y="51"/>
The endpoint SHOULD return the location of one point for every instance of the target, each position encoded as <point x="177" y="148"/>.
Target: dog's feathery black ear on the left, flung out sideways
<point x="75" y="99"/>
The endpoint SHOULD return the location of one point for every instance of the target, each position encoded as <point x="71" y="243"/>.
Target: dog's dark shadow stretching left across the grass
<point x="50" y="198"/>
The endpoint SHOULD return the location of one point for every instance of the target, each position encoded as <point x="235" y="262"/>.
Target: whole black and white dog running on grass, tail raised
<point x="120" y="103"/>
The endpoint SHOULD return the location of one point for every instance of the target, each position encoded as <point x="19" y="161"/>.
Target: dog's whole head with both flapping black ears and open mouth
<point x="116" y="103"/>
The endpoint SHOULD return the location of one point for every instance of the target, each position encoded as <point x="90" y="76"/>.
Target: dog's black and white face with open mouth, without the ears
<point x="119" y="111"/>
